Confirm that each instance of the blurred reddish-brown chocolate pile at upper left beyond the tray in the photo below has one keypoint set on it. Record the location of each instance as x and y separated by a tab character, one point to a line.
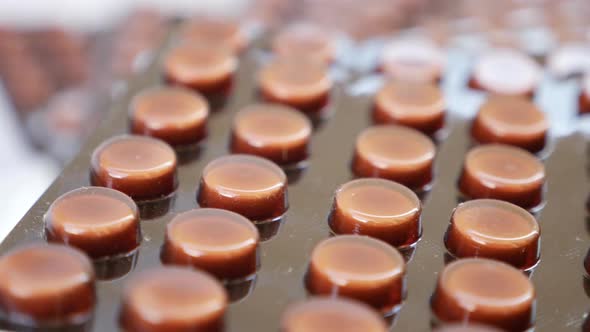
60	82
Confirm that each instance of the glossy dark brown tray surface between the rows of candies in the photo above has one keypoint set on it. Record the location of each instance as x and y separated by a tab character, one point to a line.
561	297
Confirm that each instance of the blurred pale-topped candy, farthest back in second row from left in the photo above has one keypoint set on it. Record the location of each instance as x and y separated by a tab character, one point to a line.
305	40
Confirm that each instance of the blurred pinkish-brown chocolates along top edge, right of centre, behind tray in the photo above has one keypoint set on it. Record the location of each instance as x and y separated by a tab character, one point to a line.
535	25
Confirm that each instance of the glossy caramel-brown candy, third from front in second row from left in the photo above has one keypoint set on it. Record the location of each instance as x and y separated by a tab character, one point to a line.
251	186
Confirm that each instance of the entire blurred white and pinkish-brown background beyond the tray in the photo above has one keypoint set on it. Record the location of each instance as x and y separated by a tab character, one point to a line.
62	62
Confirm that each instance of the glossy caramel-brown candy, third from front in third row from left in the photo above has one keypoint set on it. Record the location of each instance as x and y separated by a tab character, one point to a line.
379	208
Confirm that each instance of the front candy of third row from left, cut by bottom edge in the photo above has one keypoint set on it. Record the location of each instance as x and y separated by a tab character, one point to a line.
322	314
